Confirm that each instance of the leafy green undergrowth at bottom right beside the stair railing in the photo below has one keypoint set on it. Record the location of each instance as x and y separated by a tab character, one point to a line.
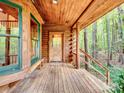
117	77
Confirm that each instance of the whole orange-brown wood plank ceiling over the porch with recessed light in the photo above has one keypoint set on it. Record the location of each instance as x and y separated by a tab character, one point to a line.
68	12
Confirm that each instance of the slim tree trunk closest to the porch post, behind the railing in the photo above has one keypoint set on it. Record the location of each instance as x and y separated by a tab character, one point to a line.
85	47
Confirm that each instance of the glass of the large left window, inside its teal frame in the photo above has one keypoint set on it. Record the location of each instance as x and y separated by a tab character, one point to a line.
8	27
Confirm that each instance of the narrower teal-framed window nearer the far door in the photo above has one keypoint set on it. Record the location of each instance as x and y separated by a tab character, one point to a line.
35	41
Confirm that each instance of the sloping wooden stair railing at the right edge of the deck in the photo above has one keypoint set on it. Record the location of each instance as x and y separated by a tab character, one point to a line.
106	75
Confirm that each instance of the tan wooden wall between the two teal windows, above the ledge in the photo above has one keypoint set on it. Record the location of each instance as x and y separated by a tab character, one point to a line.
27	9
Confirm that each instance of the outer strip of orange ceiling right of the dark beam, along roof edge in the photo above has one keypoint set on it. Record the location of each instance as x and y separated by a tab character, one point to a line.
103	9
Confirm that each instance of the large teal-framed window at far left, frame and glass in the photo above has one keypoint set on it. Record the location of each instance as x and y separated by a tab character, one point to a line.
10	43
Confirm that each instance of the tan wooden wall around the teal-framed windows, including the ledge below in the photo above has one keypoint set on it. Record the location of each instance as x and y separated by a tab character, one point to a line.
27	9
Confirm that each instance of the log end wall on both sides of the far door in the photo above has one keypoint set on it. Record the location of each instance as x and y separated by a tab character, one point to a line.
67	47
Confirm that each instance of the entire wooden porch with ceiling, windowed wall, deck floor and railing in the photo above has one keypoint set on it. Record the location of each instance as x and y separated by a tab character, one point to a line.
40	24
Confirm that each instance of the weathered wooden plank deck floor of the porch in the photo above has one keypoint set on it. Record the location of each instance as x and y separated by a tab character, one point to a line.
60	78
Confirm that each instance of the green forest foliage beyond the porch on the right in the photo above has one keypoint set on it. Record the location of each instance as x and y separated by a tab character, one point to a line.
115	25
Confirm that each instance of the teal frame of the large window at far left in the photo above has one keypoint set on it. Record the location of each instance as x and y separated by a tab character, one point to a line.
16	67
